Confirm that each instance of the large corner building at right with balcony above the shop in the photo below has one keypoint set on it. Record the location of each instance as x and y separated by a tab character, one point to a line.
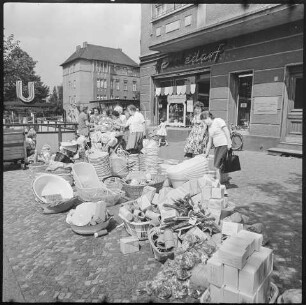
245	63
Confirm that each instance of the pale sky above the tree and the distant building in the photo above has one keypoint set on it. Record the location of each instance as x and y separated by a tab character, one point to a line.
50	32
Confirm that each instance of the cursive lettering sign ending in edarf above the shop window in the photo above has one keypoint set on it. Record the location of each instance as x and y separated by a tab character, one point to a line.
189	57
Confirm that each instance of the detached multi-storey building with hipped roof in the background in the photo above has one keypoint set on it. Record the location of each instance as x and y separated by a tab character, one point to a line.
94	74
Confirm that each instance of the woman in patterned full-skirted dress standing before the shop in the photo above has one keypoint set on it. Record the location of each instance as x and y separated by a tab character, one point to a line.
196	141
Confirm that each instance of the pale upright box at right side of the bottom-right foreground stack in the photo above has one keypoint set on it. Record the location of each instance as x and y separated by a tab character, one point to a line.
252	274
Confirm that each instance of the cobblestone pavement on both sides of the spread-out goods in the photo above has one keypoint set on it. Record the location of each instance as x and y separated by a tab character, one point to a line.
51	263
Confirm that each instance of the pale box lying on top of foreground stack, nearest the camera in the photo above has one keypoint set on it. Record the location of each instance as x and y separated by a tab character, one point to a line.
232	256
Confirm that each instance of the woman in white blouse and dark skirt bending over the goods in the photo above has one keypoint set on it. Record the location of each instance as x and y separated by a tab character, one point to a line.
219	136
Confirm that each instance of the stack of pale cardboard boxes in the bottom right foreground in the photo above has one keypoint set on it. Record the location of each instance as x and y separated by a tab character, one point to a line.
240	270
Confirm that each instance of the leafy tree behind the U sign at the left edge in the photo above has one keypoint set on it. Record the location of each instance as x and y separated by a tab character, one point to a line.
19	65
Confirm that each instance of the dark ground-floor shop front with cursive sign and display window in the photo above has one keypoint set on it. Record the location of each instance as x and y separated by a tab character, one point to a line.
251	81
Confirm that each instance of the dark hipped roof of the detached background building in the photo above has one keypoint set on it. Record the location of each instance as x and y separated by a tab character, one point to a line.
93	52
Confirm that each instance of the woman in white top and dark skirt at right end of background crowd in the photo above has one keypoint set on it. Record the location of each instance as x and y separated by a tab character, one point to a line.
136	124
